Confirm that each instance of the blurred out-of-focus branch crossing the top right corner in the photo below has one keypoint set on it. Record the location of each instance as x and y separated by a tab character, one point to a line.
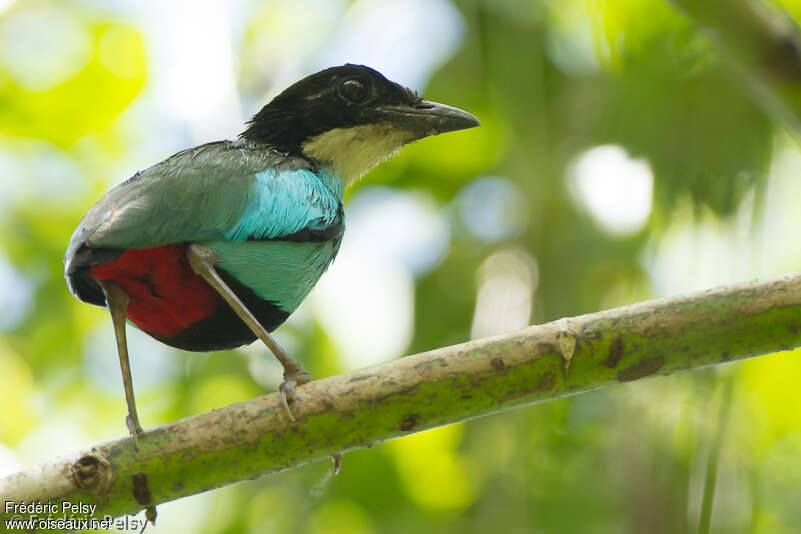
762	45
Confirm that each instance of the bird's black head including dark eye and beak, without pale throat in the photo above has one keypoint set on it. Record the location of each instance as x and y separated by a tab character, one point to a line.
343	98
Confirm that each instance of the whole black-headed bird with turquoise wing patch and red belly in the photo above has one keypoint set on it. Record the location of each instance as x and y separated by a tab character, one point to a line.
217	245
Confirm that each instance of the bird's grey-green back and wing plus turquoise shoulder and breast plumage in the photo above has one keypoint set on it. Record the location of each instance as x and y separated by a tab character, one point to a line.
251	204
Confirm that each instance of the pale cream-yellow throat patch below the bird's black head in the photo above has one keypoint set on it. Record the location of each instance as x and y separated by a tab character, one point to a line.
354	151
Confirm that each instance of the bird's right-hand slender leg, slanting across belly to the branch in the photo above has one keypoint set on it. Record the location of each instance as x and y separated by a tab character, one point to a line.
202	260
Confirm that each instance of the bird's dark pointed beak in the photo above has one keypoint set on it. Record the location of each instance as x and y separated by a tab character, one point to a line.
429	118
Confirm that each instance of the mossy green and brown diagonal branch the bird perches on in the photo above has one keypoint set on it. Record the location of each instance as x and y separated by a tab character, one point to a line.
446	385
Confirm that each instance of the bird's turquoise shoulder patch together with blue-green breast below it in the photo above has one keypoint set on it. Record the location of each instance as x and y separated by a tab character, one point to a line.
283	204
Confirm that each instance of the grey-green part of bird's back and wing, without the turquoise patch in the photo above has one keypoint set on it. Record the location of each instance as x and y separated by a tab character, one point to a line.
192	195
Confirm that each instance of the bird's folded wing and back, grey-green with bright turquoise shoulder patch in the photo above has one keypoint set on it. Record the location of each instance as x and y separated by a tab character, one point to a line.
220	192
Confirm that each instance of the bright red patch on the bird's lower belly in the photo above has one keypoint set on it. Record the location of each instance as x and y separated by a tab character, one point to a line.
166	294
